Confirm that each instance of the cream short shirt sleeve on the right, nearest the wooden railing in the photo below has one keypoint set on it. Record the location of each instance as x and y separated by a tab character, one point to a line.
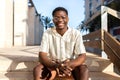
79	46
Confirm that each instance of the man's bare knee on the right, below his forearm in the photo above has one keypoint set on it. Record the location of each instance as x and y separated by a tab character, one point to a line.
80	73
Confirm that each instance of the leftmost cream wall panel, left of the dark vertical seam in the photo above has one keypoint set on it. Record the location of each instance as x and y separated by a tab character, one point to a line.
6	23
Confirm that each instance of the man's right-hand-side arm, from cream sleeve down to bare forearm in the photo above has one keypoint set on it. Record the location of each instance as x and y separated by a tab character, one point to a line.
79	49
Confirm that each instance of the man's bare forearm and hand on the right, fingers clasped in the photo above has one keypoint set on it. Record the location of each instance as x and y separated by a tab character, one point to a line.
68	65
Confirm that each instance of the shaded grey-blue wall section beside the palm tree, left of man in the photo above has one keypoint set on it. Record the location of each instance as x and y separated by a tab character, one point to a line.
35	28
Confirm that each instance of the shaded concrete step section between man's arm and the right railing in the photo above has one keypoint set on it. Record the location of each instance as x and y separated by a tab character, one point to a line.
96	63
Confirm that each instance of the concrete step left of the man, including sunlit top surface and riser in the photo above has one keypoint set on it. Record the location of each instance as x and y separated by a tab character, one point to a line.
18	58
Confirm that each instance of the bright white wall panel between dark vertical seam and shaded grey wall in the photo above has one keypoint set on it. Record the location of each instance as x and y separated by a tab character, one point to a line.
20	22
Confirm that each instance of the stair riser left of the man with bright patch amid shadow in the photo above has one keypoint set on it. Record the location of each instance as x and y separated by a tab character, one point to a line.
17	66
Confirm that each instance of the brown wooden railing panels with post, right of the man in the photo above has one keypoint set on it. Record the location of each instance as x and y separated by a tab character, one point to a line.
101	39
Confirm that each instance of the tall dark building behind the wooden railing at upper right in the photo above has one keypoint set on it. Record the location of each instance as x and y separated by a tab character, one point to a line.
93	16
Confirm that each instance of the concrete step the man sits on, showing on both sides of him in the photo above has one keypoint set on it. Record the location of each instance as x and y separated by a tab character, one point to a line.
26	60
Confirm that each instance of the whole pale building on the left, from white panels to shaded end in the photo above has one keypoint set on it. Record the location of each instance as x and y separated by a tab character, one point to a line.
20	23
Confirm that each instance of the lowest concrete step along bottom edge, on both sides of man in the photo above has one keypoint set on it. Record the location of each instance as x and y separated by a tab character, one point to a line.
29	76
